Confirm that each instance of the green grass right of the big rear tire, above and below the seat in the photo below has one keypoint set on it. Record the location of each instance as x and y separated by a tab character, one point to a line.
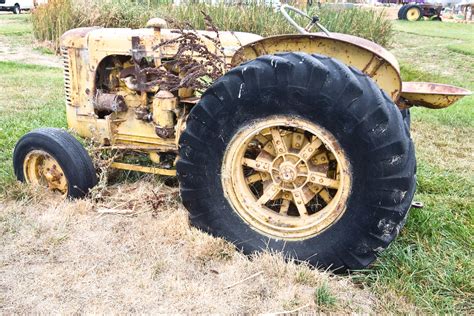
431	263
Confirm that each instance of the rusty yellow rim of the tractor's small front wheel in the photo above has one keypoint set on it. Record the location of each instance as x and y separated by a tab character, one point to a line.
41	168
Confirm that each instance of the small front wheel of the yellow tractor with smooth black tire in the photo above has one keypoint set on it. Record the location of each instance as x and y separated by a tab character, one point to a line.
61	148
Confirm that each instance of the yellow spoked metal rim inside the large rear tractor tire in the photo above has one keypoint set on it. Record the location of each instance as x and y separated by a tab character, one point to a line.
287	177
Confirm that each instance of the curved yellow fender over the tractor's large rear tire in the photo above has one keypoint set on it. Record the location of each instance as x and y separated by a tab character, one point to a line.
368	57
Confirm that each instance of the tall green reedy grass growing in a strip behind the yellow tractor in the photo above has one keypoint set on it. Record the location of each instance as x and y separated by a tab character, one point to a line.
56	17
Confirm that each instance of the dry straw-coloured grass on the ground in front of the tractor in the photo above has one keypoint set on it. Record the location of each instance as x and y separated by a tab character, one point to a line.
134	252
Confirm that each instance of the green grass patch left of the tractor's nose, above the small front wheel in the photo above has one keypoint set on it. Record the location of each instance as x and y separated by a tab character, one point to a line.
31	97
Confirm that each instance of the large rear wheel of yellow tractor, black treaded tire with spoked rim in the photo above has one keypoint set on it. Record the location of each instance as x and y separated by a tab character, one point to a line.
375	154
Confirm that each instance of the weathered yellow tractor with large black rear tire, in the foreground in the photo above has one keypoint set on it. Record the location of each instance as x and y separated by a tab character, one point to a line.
300	145
